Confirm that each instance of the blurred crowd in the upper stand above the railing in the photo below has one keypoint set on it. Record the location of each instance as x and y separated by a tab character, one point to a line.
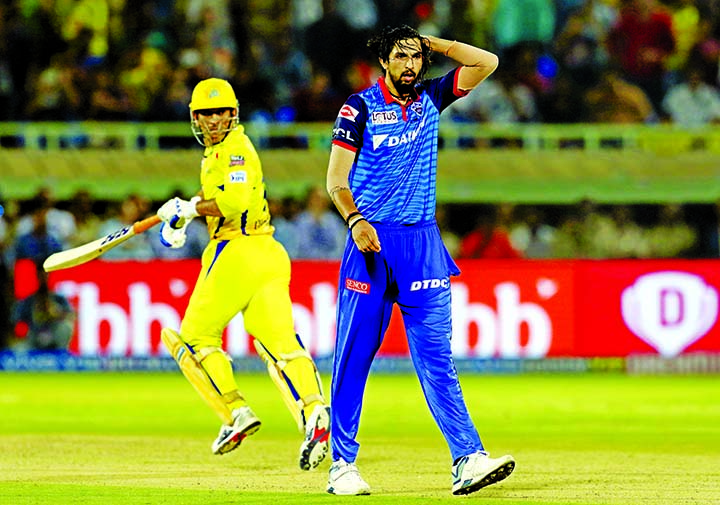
562	61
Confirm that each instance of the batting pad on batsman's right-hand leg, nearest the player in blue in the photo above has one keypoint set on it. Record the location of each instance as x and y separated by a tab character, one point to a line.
290	395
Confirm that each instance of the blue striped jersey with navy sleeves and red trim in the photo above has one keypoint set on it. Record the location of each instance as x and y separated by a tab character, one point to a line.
393	178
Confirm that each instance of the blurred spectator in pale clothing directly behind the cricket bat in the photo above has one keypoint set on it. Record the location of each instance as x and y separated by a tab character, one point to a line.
133	208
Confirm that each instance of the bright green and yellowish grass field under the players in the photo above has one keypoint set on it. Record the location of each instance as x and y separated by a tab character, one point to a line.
141	438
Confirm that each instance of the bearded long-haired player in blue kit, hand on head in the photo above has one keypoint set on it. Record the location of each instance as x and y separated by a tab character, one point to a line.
382	178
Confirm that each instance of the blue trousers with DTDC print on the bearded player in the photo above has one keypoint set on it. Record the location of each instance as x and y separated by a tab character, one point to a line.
413	269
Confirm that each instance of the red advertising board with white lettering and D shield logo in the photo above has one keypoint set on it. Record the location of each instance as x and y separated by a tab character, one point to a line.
504	311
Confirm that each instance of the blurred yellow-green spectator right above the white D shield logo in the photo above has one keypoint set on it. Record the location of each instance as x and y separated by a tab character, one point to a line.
672	236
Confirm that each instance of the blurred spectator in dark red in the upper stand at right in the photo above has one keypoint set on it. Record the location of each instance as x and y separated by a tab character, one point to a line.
641	42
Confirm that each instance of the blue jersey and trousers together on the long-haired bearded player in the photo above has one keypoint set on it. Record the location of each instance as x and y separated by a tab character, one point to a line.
393	179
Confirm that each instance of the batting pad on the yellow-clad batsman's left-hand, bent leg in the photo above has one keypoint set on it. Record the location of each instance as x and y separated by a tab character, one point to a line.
190	364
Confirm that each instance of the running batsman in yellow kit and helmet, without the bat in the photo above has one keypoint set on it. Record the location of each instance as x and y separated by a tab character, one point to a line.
244	270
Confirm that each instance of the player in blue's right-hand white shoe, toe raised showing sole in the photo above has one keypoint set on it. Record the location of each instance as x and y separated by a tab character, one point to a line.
477	470
